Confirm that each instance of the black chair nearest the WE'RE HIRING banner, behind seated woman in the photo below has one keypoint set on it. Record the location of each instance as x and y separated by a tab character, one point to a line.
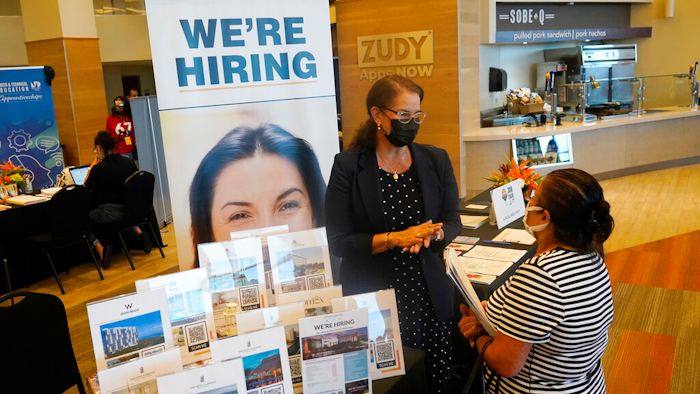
138	208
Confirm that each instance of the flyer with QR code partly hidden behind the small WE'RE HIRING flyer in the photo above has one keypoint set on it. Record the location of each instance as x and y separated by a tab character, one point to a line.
386	350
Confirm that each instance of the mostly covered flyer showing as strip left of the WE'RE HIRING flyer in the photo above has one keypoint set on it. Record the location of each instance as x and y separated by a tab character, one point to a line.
286	316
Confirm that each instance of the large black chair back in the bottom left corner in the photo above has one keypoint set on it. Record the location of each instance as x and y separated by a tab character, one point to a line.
38	352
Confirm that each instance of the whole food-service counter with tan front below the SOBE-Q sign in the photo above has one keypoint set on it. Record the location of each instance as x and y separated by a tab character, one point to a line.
607	149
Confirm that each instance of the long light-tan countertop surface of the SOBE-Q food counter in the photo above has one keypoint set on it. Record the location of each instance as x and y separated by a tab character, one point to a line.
522	131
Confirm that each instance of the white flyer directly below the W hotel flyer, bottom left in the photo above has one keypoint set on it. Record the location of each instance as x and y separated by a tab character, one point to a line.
139	376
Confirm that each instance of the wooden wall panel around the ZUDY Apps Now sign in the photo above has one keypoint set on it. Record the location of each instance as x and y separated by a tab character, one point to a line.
362	18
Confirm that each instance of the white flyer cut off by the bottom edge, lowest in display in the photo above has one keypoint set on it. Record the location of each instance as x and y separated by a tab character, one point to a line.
218	378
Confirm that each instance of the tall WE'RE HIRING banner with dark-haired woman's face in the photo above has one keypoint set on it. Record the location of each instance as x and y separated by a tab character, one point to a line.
247	106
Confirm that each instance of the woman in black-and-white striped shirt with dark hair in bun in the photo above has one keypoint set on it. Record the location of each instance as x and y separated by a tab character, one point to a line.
552	316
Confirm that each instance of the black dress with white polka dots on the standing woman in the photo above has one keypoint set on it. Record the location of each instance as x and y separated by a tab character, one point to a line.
403	205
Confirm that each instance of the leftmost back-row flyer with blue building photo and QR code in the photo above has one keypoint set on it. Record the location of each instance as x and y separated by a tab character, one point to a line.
236	280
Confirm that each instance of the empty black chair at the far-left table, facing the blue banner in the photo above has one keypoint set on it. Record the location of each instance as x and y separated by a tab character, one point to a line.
70	222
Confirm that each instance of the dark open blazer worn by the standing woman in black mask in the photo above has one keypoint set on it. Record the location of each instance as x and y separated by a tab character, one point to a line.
354	216
